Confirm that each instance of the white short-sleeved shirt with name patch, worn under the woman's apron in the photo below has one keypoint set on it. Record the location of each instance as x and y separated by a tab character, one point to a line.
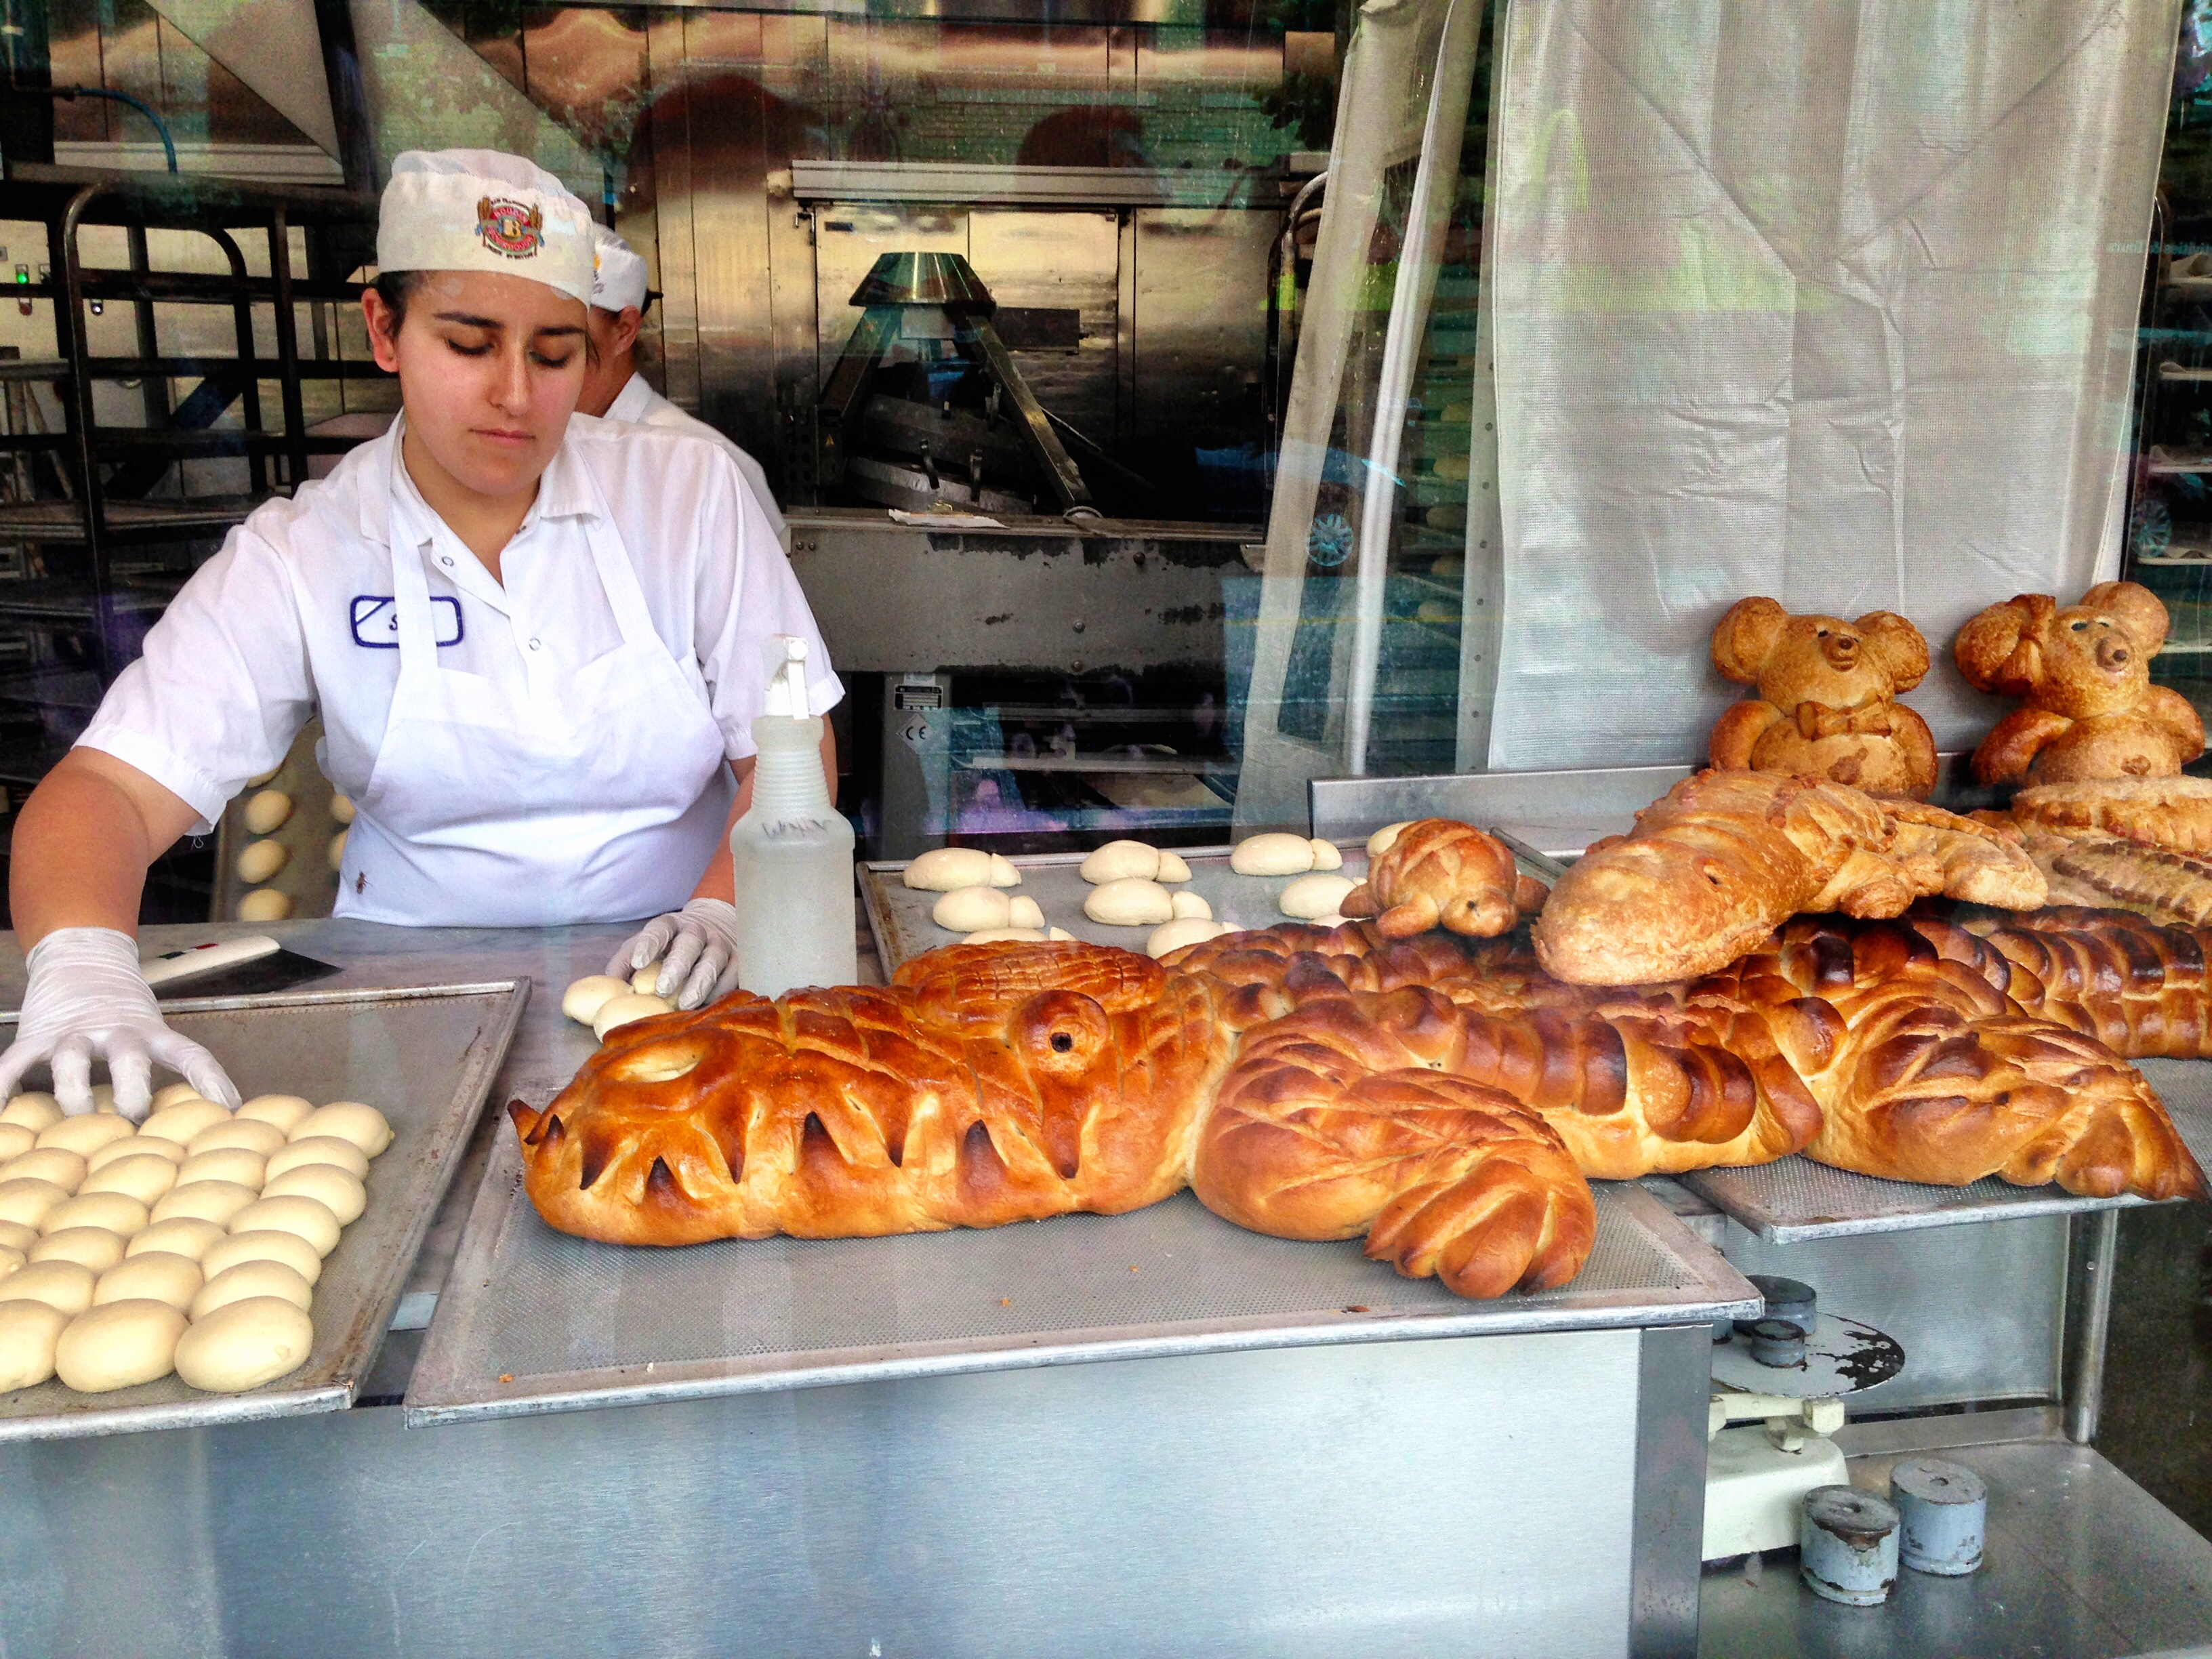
298	616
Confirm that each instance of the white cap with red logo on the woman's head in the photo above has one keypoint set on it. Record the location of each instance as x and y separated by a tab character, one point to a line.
486	211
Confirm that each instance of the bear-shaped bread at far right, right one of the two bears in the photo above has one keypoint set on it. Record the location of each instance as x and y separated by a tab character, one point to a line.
2085	671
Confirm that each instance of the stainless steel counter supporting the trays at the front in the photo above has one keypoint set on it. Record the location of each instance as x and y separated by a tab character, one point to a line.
1507	1494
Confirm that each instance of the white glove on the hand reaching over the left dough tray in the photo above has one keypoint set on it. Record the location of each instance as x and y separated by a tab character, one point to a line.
87	997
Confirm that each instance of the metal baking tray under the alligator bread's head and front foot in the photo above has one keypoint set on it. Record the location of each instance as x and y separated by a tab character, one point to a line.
539	1322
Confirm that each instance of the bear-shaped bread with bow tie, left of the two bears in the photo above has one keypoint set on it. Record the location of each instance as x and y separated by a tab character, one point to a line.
1828	698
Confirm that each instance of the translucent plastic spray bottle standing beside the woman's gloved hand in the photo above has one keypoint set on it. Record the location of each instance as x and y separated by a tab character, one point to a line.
793	848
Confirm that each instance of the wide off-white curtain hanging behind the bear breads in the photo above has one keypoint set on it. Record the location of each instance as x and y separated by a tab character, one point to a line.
1830	302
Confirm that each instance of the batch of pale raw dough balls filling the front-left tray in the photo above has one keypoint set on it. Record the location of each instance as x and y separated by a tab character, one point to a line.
189	1244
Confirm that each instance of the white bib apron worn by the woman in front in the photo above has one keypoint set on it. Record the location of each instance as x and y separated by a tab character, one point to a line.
596	800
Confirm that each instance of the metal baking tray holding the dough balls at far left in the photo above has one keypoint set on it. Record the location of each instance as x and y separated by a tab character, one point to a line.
426	1058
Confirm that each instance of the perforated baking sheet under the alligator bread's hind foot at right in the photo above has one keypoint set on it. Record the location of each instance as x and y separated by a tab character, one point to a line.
1795	1198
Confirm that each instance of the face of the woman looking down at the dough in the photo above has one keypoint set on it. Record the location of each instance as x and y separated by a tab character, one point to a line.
490	373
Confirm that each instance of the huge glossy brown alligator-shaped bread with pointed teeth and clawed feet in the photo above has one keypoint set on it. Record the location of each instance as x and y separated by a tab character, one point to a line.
1446	1098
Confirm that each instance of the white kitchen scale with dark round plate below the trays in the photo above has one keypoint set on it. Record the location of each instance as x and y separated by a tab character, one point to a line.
1780	1384
